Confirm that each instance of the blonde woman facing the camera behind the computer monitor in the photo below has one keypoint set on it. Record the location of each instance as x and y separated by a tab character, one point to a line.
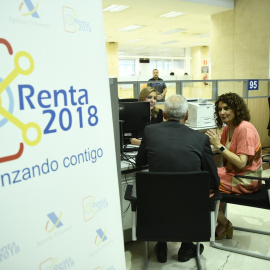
149	94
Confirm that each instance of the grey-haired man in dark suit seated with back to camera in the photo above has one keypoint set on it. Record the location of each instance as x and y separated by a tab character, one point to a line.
173	147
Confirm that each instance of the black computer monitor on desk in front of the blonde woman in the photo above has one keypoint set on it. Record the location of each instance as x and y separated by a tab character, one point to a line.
134	116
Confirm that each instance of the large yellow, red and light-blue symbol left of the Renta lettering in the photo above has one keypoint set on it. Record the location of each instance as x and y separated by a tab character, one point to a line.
8	113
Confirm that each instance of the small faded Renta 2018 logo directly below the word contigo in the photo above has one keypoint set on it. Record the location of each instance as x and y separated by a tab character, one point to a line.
91	207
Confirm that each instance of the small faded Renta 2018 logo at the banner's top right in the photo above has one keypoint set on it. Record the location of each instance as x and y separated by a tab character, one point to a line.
72	22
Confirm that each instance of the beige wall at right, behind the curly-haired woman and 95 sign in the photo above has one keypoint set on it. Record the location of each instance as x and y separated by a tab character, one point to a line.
240	50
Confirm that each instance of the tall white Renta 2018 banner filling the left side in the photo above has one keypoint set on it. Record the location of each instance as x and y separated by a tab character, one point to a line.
59	195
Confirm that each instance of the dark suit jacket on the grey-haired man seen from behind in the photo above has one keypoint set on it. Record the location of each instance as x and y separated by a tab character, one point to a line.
173	147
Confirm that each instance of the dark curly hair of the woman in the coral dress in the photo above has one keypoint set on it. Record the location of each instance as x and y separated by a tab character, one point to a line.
237	104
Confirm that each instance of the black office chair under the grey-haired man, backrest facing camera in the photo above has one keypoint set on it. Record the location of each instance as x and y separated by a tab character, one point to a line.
173	207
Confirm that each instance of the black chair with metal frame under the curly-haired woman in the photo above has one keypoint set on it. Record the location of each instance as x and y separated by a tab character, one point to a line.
259	199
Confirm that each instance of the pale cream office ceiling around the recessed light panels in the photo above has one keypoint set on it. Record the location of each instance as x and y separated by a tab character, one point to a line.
196	21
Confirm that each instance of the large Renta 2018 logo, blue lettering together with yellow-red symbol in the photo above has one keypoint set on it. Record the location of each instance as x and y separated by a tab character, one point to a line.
31	131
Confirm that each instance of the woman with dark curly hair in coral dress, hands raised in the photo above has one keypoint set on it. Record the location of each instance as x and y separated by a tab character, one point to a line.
240	147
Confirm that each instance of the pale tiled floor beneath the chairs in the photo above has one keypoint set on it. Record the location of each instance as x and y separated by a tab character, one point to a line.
212	258
